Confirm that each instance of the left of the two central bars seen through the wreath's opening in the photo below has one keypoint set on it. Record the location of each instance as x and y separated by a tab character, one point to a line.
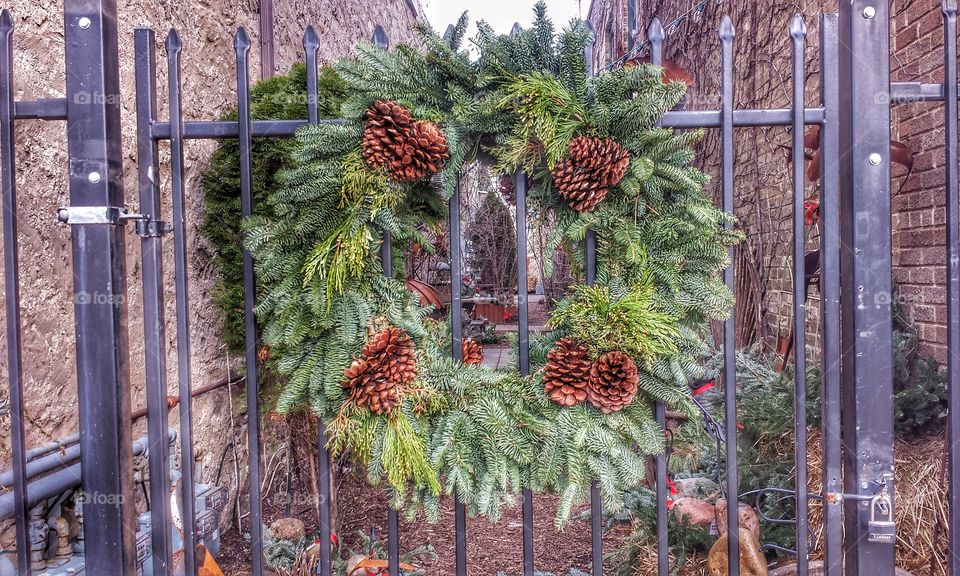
456	332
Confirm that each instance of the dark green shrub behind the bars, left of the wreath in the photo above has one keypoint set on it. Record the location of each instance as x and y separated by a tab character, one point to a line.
278	98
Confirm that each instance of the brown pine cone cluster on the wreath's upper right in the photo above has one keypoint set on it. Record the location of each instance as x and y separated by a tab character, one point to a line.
592	166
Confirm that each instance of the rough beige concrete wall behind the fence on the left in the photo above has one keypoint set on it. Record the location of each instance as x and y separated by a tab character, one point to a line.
206	28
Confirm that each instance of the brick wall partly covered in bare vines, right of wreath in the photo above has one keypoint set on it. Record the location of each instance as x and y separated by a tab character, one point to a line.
762	76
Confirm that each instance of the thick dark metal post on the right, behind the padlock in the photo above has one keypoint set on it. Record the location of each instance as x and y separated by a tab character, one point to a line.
866	261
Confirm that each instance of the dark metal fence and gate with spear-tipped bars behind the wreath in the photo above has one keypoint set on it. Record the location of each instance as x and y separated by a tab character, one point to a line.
856	268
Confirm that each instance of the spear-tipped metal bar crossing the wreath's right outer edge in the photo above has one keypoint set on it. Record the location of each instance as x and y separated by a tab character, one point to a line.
727	35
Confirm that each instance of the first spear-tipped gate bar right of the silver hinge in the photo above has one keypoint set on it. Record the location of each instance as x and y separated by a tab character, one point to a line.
184	369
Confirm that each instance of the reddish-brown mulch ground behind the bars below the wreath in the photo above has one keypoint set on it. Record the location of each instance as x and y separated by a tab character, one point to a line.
491	548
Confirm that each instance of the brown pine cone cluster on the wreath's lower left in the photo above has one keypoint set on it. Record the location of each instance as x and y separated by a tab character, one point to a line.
387	362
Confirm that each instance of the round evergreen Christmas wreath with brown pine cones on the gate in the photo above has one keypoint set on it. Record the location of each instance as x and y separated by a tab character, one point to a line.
360	351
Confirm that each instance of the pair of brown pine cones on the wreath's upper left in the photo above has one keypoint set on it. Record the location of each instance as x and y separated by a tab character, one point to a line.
409	150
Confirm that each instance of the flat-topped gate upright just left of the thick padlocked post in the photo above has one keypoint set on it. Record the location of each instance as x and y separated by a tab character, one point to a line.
830	295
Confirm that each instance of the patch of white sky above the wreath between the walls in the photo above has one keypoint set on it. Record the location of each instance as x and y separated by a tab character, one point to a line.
501	14
